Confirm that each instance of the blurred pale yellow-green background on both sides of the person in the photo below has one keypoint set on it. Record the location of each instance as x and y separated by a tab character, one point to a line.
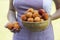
5	34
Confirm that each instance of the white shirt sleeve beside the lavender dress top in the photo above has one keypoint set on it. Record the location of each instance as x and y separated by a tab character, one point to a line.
47	6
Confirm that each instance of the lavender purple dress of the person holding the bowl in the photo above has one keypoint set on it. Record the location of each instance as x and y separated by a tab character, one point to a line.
21	6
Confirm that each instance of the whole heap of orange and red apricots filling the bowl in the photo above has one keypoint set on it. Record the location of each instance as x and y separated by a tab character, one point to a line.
32	15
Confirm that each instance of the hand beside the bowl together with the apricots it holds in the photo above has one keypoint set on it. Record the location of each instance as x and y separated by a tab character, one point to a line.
13	27
